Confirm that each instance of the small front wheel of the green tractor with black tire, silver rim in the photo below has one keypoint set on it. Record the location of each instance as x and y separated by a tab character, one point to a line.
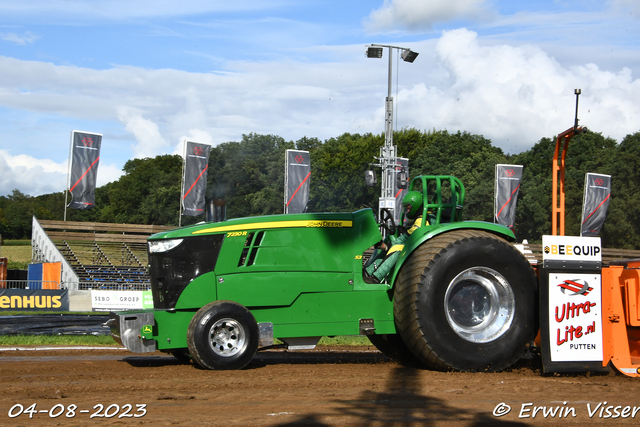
223	335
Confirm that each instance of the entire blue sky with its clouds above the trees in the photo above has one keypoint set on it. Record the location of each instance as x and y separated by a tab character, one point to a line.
148	74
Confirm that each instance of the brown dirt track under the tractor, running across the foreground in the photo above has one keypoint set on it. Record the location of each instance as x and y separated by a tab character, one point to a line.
329	386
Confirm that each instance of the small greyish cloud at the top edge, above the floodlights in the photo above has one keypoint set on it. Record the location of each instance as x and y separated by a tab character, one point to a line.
422	15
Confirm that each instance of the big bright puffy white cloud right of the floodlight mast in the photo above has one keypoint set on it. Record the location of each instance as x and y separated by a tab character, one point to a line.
517	95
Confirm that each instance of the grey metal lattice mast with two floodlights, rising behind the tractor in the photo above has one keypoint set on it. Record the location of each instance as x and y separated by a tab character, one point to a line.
388	158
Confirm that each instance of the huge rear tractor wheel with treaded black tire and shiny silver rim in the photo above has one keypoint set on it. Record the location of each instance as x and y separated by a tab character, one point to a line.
466	300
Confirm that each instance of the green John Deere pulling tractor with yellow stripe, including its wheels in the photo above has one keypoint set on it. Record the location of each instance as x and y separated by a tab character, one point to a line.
459	297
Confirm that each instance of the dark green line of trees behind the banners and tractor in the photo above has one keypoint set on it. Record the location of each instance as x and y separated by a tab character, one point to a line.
249	176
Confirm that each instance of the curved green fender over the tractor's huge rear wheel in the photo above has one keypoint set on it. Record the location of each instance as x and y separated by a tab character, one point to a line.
422	234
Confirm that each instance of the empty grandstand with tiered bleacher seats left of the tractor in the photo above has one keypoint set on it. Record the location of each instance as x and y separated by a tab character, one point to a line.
103	256
